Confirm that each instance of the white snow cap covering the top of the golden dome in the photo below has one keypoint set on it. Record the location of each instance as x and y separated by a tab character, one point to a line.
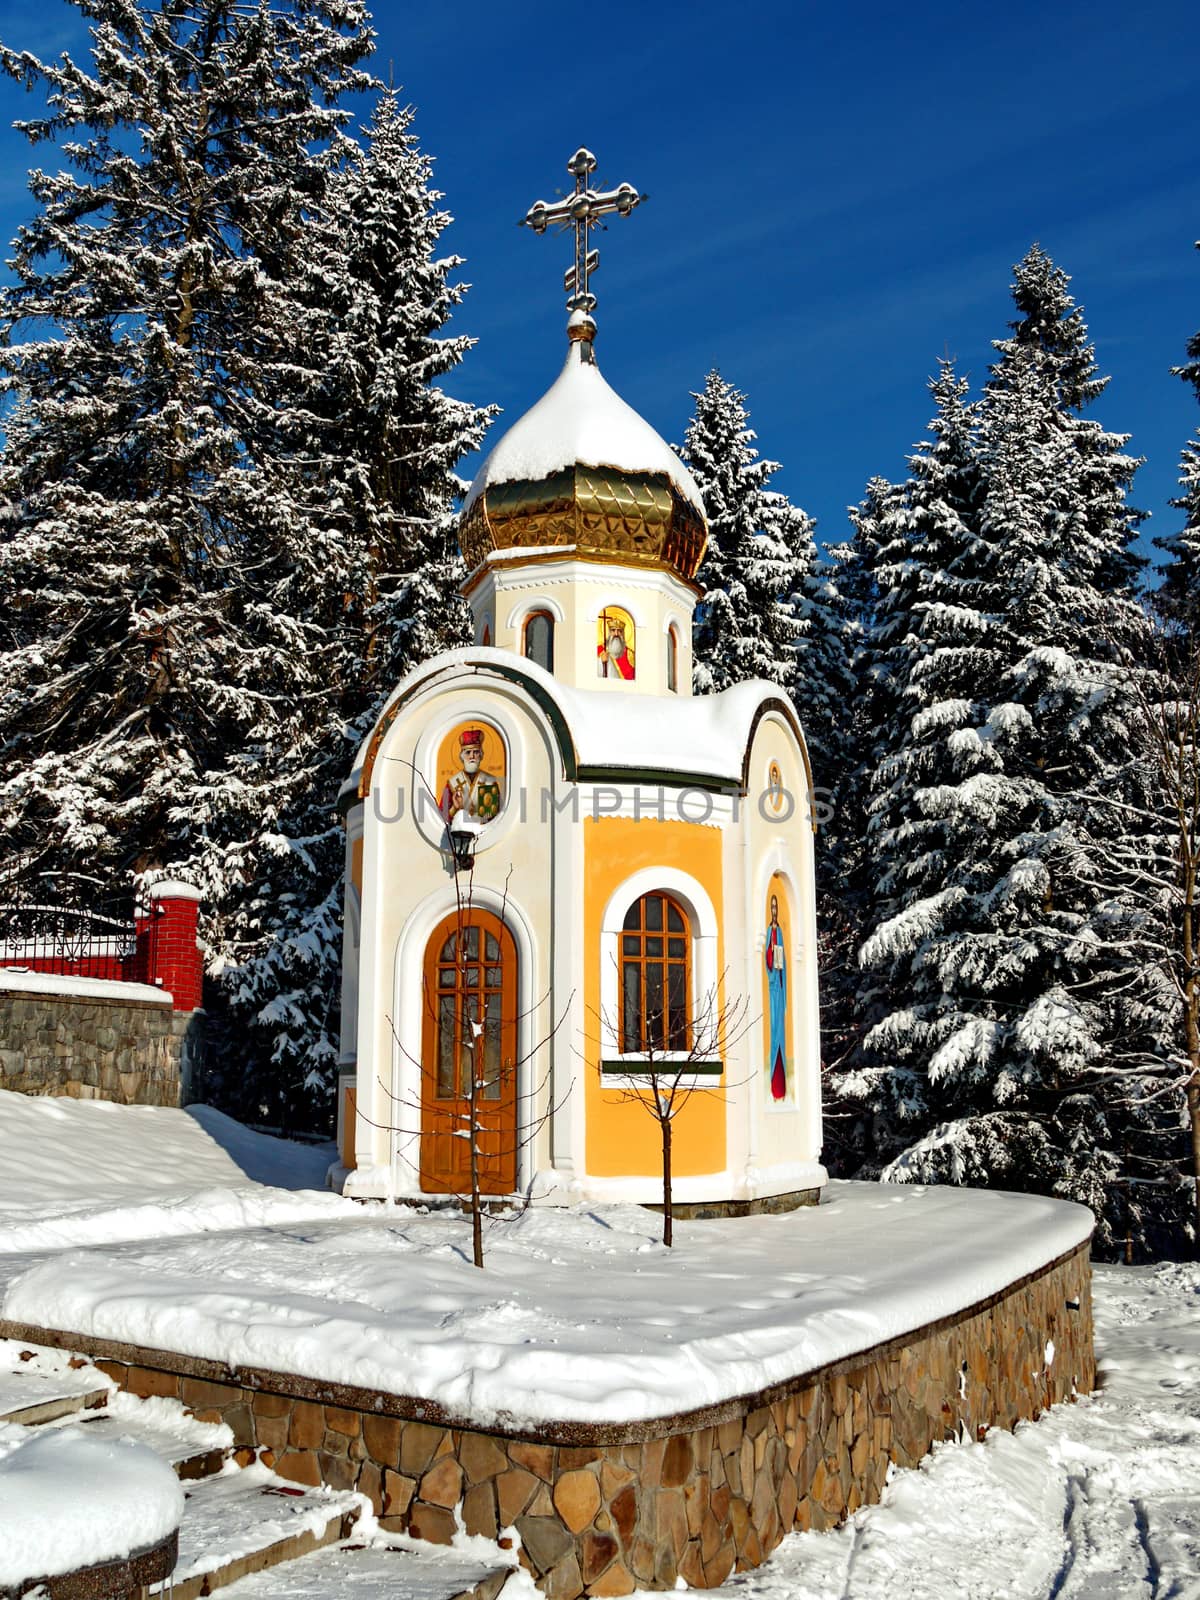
582	420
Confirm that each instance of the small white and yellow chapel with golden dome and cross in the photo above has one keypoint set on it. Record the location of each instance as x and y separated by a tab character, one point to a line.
569	879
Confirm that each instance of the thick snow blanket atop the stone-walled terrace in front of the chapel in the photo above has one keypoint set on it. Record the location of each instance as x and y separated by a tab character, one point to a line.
582	1314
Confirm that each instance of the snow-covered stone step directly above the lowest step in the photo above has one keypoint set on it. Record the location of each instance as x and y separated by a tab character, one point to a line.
246	1521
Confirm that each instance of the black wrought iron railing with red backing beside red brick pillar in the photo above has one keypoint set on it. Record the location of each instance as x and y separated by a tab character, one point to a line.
76	926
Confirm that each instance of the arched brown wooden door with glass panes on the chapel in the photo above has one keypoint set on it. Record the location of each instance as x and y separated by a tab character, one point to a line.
470	1017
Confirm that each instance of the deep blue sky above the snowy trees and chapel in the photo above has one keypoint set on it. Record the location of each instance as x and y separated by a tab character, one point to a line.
838	198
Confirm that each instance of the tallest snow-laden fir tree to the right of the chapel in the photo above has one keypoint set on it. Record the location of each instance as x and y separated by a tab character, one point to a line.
1012	1026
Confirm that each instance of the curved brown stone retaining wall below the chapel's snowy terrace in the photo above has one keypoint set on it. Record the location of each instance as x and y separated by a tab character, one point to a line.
607	1508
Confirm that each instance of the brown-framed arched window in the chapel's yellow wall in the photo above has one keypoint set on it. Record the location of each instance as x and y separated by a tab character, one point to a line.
655	977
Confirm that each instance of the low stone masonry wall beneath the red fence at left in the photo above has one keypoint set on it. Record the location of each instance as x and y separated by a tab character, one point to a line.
130	1052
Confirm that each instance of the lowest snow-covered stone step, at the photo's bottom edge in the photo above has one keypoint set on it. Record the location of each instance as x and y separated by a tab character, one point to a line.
433	1574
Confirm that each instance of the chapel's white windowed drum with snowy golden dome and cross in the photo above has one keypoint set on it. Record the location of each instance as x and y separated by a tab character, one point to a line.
583	530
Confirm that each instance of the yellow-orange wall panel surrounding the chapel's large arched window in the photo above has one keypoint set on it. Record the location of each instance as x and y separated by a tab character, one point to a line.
623	1140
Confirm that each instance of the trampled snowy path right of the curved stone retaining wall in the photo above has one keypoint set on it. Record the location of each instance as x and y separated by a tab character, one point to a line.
1097	1502
